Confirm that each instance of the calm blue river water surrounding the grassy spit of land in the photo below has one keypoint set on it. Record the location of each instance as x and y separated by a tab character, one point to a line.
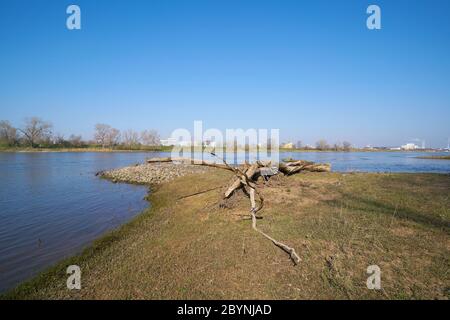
52	205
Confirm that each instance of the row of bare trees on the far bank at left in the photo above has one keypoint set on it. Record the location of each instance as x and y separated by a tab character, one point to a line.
37	133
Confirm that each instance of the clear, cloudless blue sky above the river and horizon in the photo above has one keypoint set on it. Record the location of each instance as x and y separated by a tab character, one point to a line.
311	69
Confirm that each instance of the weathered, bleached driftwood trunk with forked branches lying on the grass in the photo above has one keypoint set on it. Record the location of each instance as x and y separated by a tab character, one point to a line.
246	177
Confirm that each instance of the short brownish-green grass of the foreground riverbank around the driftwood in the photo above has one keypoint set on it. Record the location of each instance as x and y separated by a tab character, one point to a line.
339	224
